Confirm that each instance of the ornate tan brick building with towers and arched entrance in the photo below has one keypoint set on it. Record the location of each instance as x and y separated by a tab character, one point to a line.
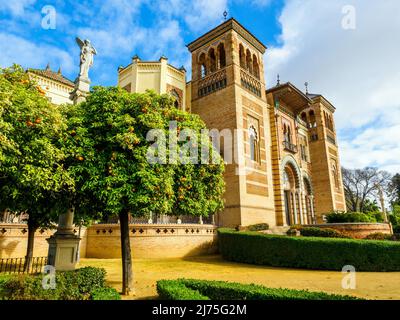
288	151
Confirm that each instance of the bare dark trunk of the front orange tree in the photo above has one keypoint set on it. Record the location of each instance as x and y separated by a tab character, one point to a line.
126	254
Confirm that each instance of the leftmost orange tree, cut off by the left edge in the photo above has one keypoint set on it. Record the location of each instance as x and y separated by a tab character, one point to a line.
32	177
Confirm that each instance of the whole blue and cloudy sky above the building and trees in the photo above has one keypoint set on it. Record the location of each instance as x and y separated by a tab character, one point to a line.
347	50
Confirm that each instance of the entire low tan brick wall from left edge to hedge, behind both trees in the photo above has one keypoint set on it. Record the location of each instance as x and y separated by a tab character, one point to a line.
103	241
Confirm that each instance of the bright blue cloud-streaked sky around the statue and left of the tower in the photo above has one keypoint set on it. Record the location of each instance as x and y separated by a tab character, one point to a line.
100	21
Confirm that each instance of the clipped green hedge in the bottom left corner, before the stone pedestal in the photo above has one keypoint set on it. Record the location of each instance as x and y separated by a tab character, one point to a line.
81	284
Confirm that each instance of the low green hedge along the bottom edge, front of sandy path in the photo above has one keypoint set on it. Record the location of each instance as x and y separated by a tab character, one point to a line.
183	289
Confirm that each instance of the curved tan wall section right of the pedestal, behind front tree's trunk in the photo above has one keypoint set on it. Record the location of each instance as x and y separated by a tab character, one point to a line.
152	240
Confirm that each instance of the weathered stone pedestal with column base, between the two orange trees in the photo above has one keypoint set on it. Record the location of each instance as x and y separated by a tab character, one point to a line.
64	244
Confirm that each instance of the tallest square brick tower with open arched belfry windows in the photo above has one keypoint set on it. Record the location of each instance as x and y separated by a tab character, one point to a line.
228	92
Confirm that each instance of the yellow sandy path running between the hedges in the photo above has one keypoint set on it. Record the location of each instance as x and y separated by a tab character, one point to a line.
370	285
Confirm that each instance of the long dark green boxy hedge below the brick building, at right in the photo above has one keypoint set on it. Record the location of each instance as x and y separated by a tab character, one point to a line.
308	252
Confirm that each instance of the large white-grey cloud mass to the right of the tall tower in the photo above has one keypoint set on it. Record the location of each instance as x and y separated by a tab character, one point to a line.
355	69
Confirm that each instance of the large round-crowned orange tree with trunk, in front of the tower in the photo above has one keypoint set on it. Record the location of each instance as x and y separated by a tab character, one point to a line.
106	139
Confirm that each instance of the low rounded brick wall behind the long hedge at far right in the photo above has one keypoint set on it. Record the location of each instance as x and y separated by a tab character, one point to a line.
358	230
